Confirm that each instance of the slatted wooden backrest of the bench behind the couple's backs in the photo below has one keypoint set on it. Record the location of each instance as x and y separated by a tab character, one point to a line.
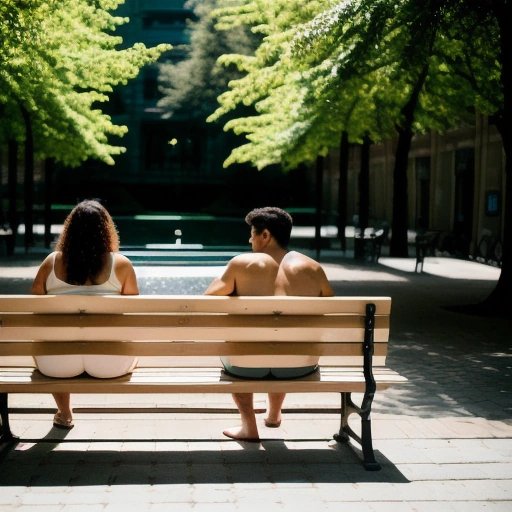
192	326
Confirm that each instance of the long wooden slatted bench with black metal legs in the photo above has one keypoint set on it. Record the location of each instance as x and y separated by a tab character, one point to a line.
179	339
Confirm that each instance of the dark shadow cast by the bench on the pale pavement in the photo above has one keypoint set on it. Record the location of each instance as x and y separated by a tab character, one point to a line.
271	462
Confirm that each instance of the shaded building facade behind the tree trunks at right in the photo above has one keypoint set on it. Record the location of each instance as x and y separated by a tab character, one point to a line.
456	184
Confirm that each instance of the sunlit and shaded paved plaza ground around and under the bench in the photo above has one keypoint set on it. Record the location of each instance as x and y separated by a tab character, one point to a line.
444	439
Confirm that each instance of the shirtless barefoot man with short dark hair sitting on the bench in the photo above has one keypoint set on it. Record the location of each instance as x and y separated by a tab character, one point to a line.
269	270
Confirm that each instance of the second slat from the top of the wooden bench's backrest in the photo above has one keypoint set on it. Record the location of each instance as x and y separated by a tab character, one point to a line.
200	327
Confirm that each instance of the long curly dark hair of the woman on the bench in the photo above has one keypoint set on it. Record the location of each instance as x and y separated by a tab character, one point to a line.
89	234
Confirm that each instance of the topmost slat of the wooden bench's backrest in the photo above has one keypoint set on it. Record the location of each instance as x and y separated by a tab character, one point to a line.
191	303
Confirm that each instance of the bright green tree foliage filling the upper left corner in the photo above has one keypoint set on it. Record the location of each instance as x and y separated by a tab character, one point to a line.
58	60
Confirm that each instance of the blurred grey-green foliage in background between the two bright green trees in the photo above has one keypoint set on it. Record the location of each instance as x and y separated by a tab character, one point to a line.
191	85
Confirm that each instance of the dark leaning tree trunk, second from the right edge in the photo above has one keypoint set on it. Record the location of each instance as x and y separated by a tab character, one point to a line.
398	246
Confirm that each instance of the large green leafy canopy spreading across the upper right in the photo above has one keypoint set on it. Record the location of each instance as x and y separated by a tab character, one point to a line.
333	66
